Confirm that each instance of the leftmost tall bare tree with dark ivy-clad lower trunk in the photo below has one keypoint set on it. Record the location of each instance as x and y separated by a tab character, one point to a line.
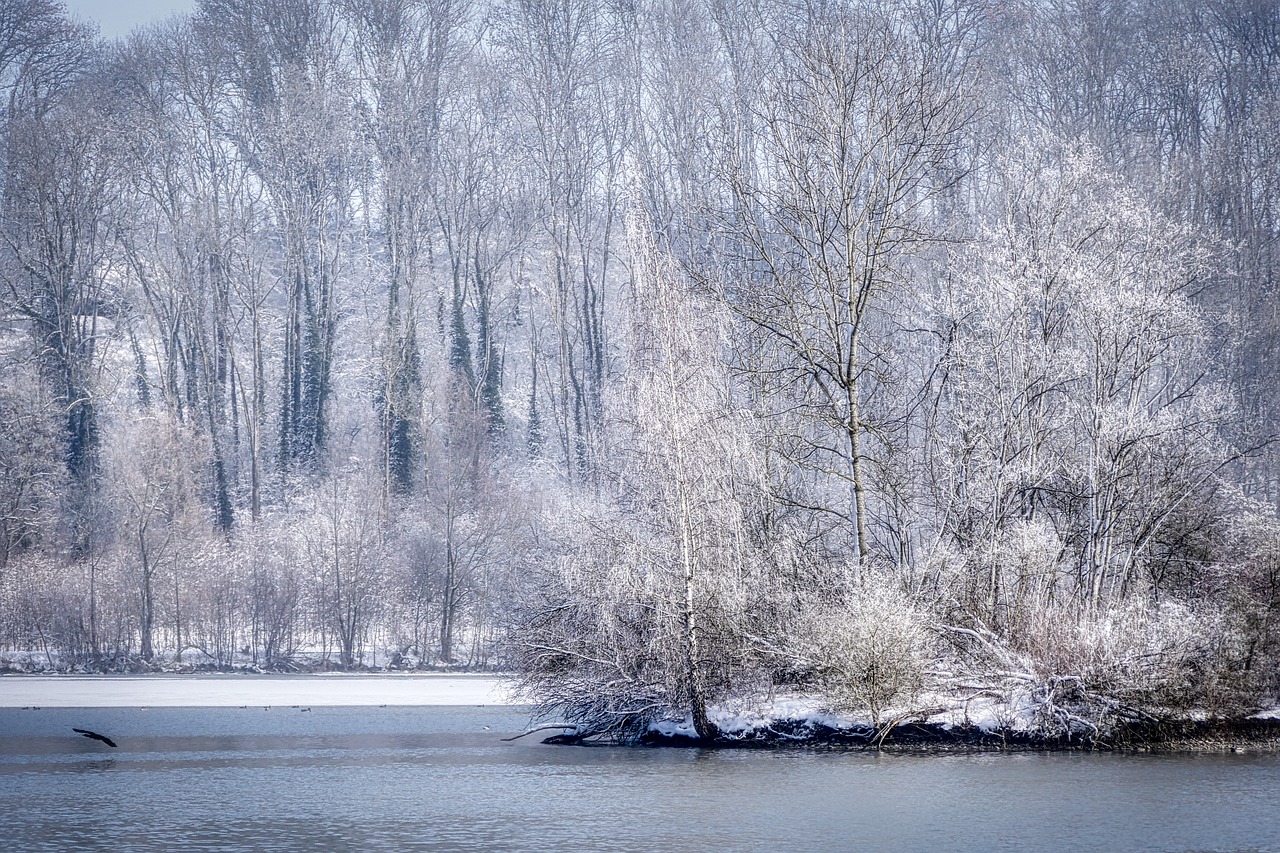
58	234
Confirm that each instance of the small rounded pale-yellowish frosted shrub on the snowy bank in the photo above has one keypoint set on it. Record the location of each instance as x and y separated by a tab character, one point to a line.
870	654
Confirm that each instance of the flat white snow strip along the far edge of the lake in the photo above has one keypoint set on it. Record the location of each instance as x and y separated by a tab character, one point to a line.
236	691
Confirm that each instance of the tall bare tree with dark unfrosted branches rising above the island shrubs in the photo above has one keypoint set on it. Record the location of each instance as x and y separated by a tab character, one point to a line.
830	193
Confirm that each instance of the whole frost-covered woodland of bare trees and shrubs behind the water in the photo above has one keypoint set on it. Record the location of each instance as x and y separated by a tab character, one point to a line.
669	354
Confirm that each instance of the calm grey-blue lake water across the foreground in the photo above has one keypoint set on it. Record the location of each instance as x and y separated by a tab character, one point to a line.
440	778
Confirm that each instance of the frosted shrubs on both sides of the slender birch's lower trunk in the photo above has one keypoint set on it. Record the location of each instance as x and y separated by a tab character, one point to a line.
602	638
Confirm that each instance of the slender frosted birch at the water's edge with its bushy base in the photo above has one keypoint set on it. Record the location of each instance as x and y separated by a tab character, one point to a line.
648	612
